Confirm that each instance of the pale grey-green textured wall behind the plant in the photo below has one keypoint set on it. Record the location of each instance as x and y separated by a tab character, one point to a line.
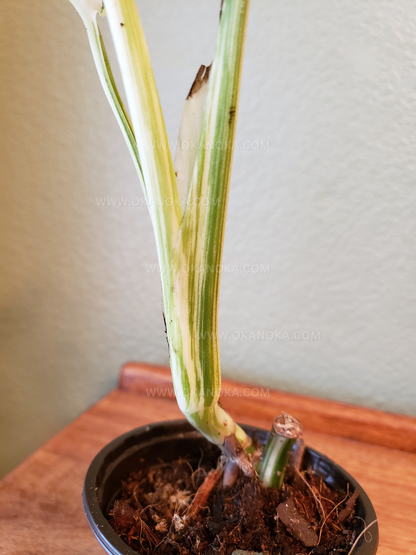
323	197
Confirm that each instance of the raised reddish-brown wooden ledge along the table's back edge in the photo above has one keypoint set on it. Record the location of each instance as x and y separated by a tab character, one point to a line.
257	403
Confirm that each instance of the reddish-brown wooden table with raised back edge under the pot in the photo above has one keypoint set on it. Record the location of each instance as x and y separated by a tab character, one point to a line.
40	501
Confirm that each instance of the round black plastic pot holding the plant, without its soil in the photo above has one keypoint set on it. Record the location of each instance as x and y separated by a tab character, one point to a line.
166	441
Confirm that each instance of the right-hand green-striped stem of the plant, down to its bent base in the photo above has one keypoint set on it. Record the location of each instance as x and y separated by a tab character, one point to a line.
200	246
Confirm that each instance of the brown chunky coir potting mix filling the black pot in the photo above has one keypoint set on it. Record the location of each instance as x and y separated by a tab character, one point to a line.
156	514
